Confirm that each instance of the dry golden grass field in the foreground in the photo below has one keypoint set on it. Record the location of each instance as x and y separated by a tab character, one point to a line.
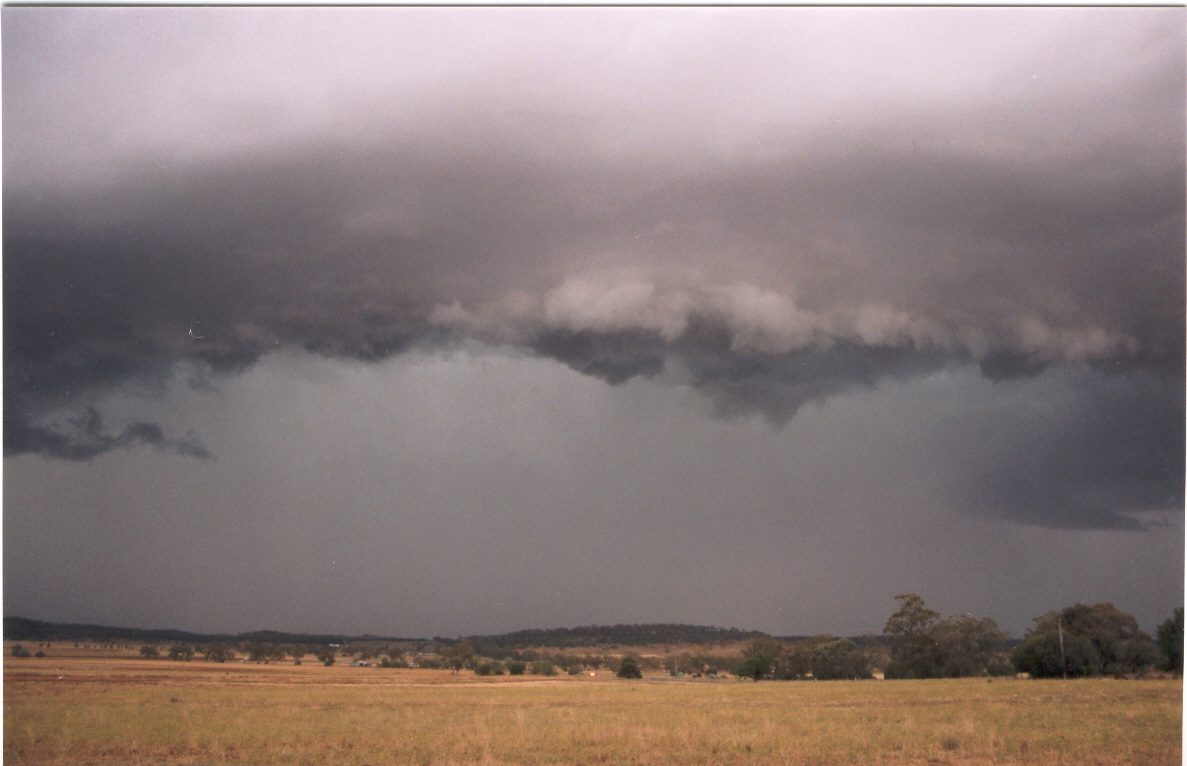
79	711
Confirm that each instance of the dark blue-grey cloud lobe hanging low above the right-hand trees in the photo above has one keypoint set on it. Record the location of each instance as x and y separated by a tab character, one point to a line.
1103	451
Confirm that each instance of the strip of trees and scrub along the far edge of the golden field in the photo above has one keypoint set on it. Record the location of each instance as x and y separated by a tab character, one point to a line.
1081	641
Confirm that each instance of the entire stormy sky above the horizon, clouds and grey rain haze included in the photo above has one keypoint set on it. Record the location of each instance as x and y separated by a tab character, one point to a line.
458	321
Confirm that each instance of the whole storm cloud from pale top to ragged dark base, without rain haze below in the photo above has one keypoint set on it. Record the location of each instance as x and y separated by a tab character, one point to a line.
624	208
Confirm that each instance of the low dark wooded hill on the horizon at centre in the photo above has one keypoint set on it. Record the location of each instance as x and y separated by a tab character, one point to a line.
613	635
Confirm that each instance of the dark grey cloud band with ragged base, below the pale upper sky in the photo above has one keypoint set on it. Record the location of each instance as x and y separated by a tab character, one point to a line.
207	273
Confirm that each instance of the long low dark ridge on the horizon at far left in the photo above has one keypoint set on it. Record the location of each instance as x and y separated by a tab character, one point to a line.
26	630
